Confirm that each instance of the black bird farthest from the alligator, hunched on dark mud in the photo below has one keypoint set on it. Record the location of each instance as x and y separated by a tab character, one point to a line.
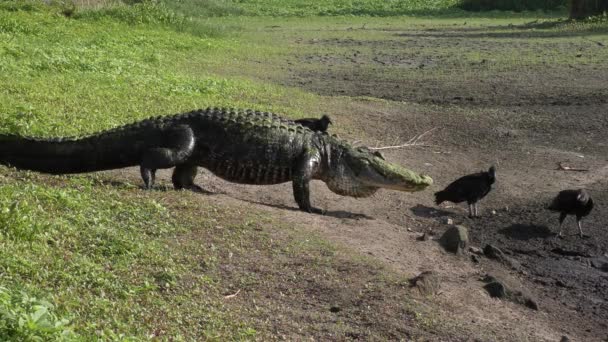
572	202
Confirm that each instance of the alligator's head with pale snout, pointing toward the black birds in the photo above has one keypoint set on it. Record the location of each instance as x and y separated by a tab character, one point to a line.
360	172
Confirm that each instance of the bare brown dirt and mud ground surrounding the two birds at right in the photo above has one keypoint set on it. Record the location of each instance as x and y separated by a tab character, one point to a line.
524	122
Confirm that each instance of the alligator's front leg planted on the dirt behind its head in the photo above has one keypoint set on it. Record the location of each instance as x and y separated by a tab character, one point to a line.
301	176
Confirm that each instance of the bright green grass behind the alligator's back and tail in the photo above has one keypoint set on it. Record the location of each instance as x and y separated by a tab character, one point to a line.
56	70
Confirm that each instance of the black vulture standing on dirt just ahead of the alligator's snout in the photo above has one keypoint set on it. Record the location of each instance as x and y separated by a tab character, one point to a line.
470	188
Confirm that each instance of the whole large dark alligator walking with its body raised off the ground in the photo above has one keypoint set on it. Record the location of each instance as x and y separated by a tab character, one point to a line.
241	146
